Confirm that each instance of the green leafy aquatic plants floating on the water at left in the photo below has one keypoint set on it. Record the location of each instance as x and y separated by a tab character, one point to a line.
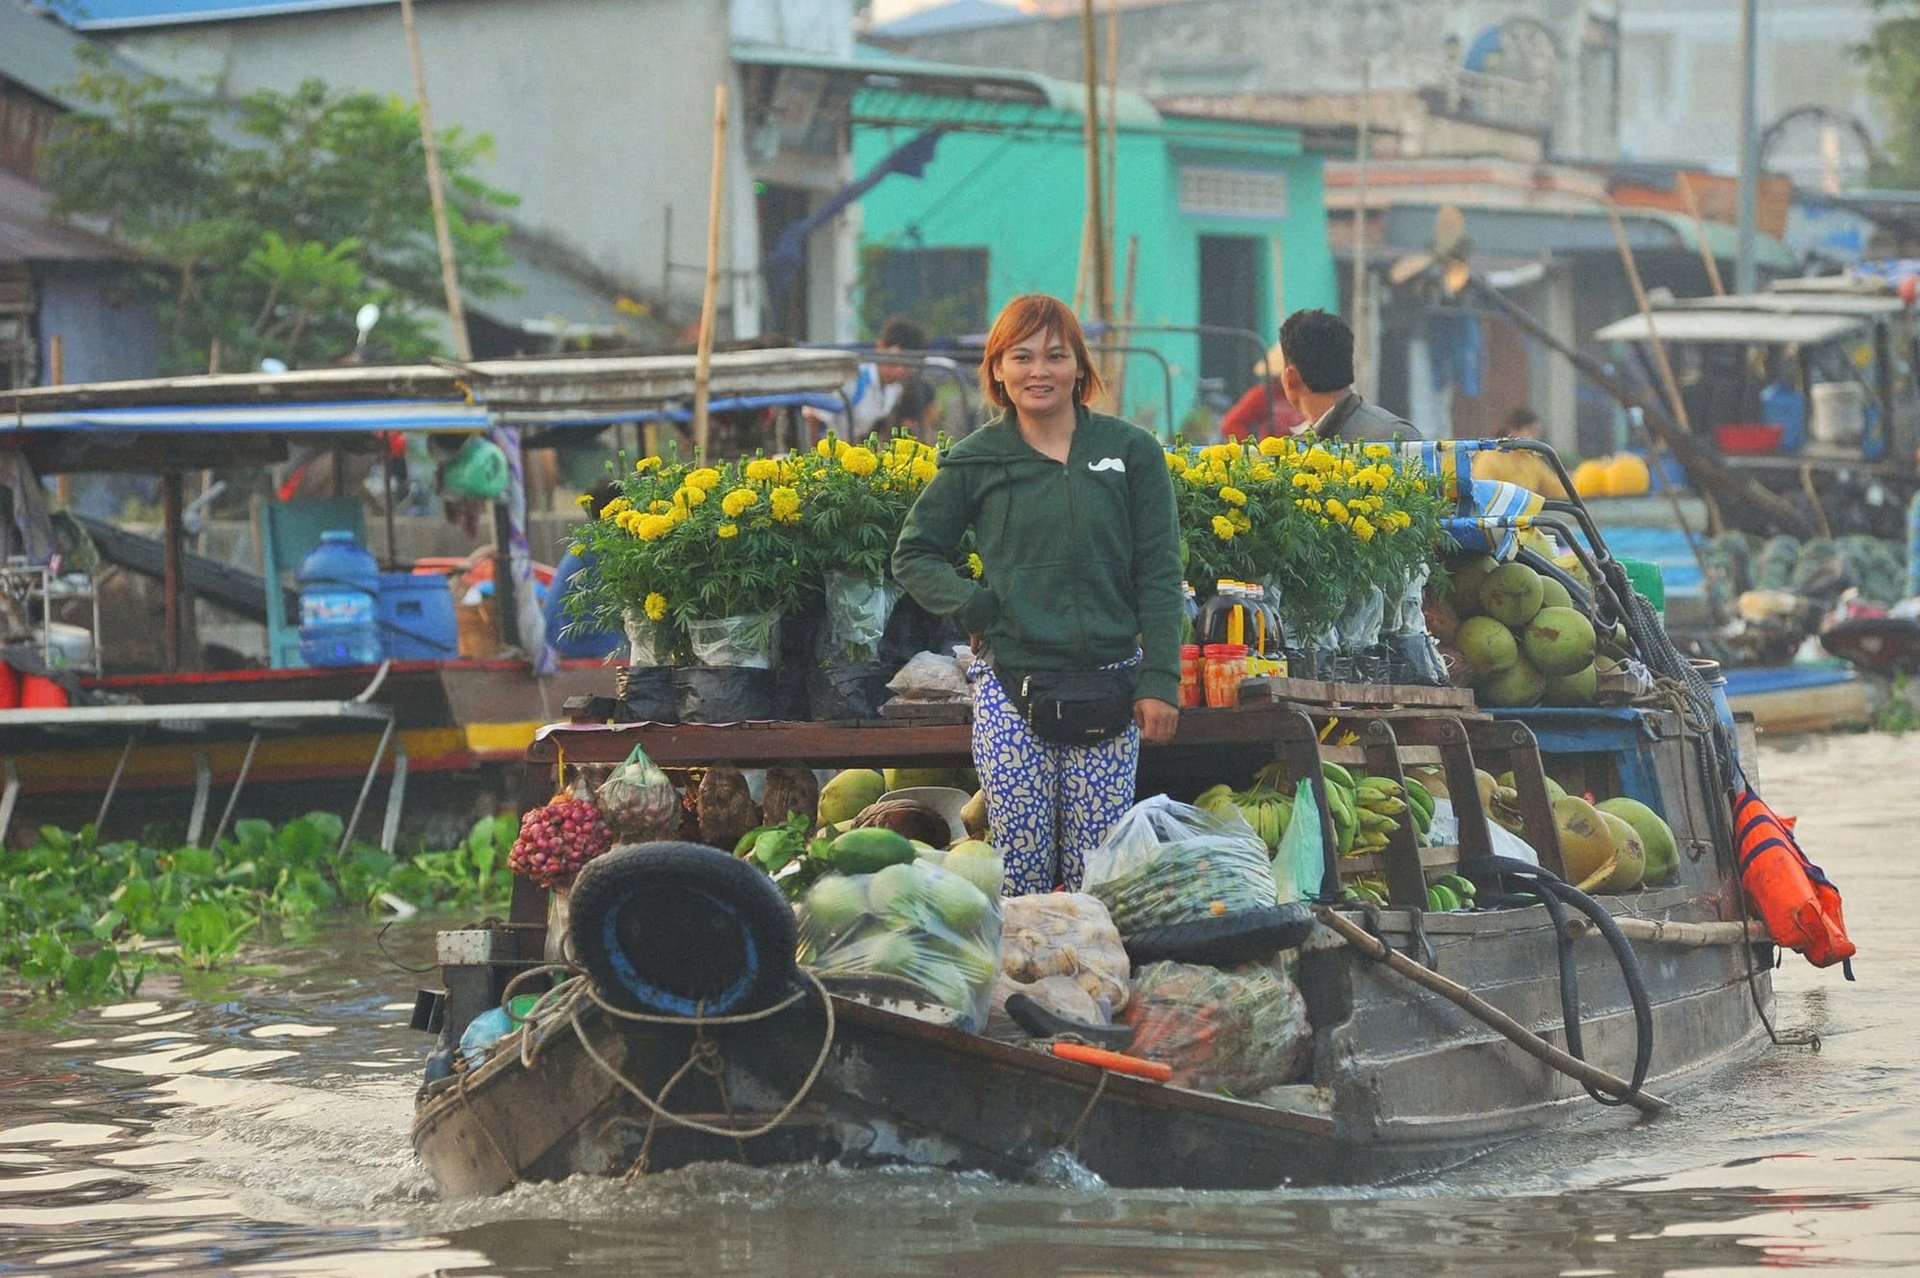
87	920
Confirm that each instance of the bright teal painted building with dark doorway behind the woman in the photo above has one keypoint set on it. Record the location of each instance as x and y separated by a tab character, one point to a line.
1230	220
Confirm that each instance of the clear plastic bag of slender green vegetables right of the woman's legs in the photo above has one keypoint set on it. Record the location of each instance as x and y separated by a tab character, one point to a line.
1170	863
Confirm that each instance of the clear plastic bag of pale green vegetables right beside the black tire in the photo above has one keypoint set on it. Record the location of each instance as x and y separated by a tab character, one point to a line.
917	922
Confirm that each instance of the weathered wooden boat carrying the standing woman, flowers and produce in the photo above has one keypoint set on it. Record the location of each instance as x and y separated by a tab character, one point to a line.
1401	1079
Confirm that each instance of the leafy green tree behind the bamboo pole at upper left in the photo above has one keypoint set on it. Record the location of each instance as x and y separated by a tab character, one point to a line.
272	220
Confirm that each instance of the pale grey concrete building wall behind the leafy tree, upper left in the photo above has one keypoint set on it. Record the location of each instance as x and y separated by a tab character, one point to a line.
600	110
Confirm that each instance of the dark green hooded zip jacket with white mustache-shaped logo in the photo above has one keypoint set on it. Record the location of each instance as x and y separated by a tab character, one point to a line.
1082	559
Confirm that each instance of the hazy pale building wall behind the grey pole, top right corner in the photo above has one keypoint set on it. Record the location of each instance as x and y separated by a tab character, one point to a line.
1681	80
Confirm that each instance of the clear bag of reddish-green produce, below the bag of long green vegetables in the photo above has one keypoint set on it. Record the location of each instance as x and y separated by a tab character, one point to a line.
1237	1031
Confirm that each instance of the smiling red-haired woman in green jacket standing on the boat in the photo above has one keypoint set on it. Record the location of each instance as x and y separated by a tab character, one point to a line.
1076	615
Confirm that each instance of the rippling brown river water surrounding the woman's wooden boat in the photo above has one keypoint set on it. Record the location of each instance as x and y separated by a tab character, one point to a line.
258	1125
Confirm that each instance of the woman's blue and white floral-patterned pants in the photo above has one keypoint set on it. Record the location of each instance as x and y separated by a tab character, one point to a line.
1049	803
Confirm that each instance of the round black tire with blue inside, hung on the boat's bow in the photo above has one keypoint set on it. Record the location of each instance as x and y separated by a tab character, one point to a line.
683	930
